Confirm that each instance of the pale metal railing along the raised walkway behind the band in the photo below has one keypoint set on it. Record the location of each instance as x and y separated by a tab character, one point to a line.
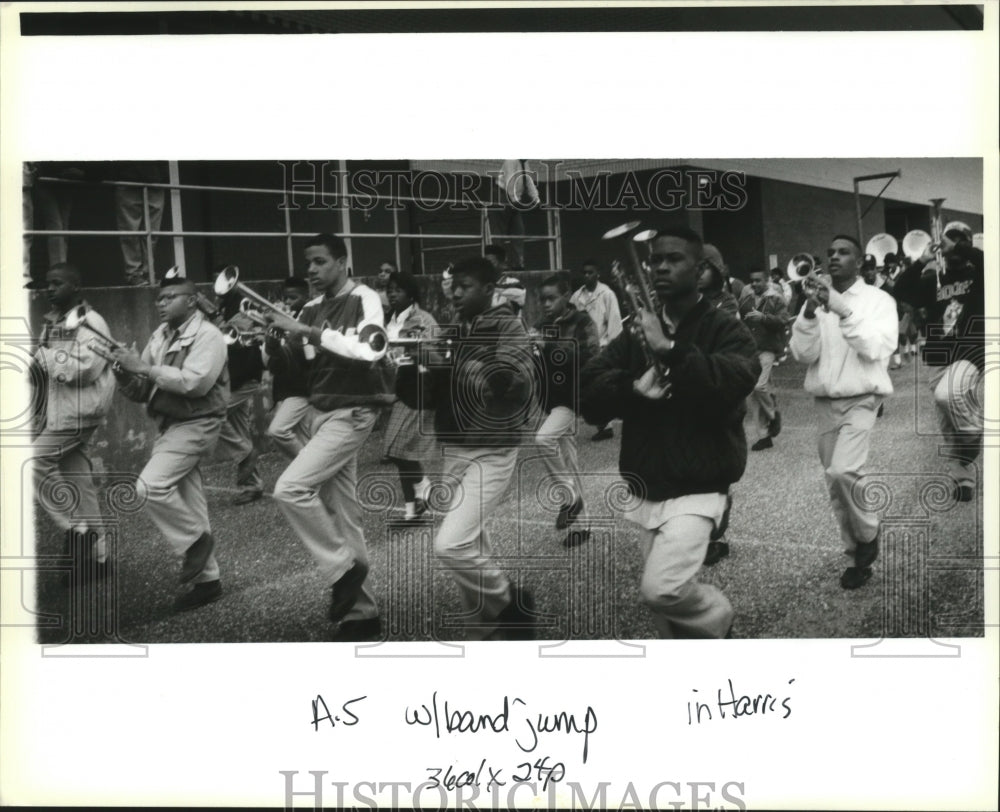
148	234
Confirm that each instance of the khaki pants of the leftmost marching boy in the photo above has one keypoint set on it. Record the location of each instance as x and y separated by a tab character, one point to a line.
64	482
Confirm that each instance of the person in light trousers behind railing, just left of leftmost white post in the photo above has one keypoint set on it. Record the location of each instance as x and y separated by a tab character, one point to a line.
130	214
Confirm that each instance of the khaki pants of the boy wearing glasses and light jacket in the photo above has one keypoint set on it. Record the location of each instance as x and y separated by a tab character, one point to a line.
172	486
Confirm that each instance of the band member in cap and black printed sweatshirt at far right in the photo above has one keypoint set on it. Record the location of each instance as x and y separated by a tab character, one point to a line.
955	303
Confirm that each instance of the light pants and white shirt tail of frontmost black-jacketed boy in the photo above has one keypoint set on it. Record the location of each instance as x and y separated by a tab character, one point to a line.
675	536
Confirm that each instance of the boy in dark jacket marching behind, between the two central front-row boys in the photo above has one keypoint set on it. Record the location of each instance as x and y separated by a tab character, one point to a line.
577	342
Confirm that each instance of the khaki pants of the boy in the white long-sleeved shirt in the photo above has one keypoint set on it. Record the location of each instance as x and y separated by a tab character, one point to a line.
845	426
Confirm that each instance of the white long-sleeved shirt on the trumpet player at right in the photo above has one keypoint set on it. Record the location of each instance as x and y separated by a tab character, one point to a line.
849	357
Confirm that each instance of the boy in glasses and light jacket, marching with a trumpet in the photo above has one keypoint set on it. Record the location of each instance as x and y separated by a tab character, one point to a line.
182	378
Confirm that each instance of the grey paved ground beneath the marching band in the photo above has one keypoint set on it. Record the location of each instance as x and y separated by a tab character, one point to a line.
782	575
